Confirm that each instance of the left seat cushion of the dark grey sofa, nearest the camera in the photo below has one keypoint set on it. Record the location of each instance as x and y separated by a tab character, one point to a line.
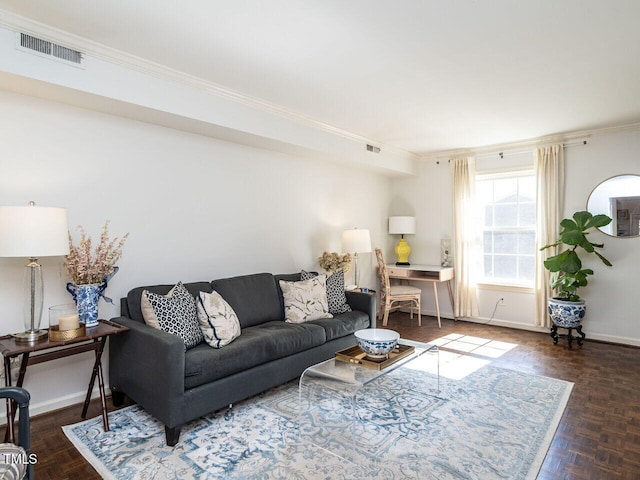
257	345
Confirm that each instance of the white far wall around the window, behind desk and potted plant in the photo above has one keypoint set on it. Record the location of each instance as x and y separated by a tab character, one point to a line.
611	293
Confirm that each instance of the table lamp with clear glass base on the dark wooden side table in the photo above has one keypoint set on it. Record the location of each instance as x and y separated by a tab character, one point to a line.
33	232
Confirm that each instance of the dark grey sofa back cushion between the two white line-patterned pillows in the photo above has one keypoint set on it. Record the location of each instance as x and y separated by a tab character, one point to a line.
254	298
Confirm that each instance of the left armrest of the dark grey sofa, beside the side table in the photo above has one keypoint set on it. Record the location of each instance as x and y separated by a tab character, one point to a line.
148	365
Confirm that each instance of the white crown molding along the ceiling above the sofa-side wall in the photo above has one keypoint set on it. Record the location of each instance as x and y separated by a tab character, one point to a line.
94	49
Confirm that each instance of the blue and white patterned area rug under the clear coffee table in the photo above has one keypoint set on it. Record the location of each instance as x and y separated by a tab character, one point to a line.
492	424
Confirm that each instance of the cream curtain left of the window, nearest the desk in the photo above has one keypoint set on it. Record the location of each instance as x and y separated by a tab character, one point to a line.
464	232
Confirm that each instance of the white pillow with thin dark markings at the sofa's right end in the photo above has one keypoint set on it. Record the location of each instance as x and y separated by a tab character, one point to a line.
305	300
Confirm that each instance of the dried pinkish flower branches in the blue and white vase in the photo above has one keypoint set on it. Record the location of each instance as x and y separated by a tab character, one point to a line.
85	266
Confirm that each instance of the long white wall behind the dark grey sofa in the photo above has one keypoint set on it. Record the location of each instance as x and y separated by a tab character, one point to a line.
196	209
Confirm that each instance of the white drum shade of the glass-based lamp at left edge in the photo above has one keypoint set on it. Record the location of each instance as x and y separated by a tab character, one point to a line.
33	232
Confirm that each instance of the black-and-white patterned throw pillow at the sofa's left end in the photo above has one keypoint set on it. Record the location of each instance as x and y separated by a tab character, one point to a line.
177	314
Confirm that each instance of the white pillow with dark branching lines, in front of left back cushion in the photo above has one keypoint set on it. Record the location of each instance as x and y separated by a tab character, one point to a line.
218	322
